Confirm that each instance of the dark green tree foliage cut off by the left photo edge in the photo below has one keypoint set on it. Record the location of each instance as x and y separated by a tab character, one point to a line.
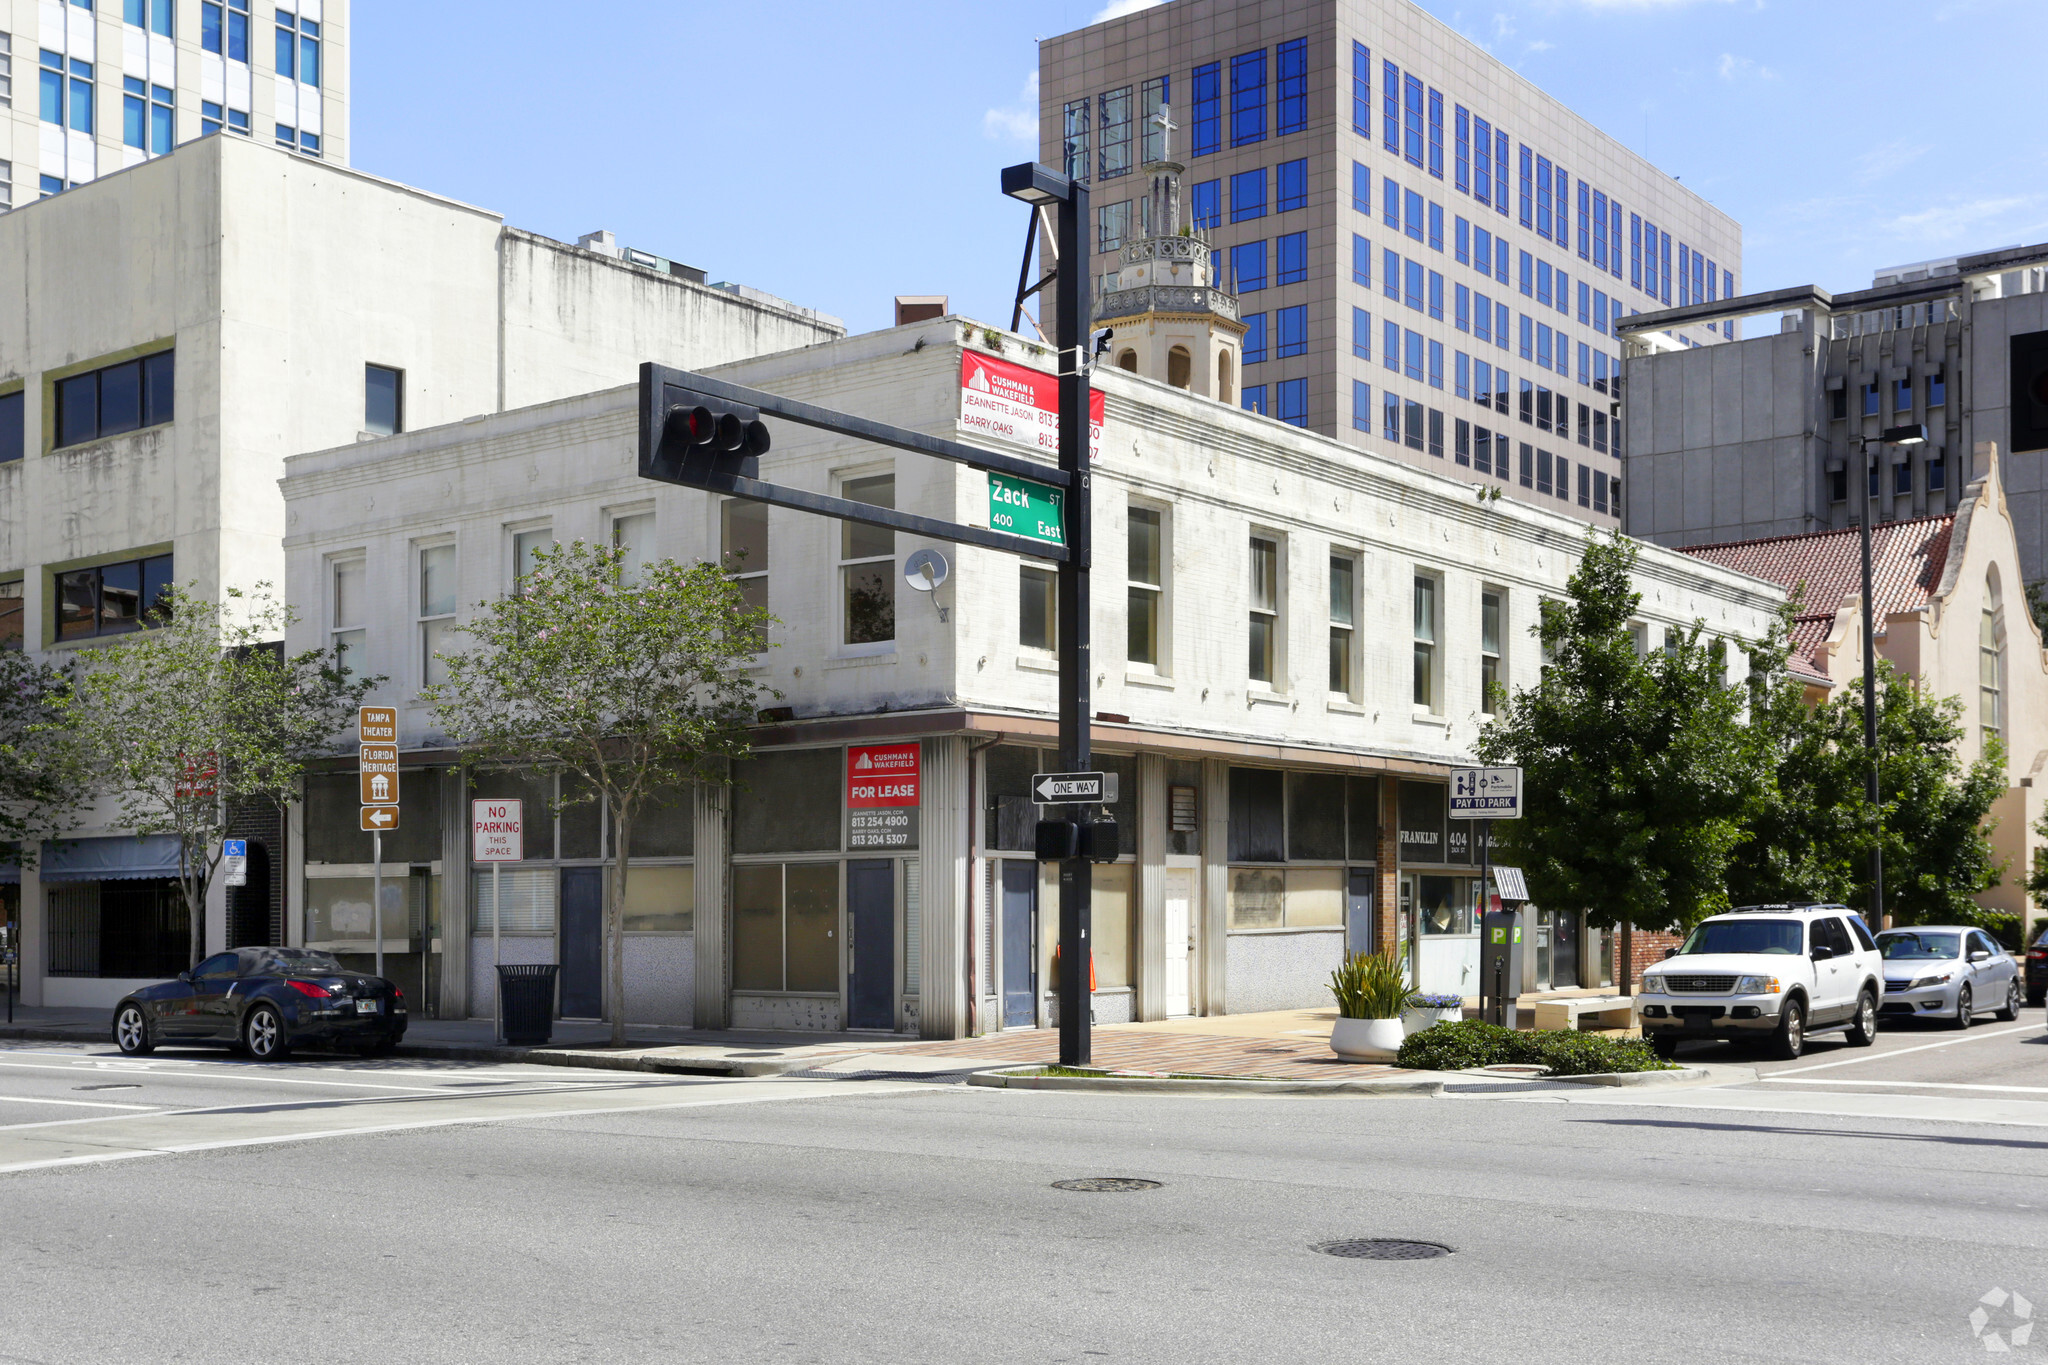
40	770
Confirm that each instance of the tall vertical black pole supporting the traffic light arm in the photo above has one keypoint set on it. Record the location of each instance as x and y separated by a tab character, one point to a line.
1076	877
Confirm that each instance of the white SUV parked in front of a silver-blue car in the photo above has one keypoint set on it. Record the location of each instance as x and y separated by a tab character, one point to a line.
1768	973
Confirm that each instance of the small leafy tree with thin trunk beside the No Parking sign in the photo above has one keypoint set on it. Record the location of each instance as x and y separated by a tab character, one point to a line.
630	682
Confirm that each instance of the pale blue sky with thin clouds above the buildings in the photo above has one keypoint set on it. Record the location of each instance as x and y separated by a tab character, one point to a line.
841	155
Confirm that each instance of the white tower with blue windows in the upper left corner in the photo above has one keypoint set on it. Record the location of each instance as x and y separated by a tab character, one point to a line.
99	85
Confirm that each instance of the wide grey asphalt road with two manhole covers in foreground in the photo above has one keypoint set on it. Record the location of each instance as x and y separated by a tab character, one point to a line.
581	1217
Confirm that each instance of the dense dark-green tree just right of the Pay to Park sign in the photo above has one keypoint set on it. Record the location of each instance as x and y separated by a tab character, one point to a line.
1637	770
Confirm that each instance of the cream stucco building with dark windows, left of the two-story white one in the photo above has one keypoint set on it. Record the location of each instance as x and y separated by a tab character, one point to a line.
179	328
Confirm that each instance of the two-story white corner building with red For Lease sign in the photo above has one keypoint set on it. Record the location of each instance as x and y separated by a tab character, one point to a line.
1293	646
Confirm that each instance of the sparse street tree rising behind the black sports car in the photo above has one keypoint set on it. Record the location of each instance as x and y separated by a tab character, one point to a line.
202	713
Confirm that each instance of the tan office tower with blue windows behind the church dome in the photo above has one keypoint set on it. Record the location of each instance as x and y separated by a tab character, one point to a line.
1428	253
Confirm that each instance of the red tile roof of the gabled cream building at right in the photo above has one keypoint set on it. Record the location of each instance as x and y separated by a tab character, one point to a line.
1906	568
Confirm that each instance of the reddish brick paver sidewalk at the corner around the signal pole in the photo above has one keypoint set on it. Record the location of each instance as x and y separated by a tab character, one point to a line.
1203	1055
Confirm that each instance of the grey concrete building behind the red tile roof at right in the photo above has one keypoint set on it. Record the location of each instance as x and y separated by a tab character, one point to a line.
1766	437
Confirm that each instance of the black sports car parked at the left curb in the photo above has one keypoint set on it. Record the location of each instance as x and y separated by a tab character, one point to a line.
265	1002
